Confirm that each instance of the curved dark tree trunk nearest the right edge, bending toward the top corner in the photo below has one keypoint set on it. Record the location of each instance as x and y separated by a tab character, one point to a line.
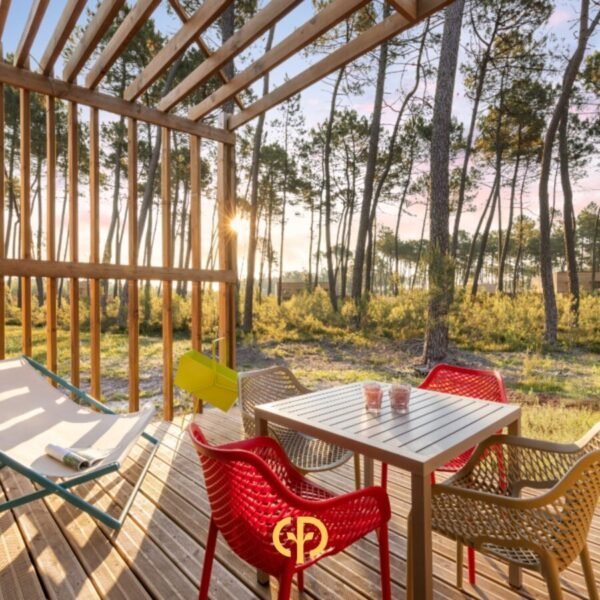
571	71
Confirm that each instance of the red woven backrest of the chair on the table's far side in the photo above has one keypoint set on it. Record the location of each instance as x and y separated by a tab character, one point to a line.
463	381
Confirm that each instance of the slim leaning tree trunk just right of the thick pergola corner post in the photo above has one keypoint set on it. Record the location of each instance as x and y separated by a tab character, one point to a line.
254	175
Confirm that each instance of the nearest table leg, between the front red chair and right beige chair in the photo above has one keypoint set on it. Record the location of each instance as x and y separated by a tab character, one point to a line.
421	576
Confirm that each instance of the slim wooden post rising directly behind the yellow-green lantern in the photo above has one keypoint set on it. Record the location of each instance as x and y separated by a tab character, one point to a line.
195	233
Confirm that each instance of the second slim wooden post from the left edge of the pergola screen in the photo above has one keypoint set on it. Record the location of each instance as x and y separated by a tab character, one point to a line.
25	111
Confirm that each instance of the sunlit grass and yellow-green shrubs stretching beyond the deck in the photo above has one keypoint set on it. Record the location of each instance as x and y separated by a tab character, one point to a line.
559	389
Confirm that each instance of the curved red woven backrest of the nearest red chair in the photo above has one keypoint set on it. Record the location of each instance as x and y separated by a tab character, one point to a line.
247	498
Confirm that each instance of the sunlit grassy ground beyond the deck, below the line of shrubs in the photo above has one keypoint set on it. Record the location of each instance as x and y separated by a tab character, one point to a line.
559	391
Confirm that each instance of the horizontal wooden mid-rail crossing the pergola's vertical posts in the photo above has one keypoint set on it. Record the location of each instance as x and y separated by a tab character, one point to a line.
44	268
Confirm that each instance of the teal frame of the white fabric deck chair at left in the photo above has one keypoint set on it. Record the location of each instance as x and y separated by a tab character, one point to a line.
48	486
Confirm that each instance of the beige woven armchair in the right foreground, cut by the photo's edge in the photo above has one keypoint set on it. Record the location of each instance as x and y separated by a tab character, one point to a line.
545	532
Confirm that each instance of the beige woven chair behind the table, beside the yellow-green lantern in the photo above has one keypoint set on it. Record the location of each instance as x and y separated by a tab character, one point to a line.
305	452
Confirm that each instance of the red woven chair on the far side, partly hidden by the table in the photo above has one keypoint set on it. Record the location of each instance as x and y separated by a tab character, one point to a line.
472	383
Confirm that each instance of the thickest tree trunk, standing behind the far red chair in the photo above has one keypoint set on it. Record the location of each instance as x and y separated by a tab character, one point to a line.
441	271
